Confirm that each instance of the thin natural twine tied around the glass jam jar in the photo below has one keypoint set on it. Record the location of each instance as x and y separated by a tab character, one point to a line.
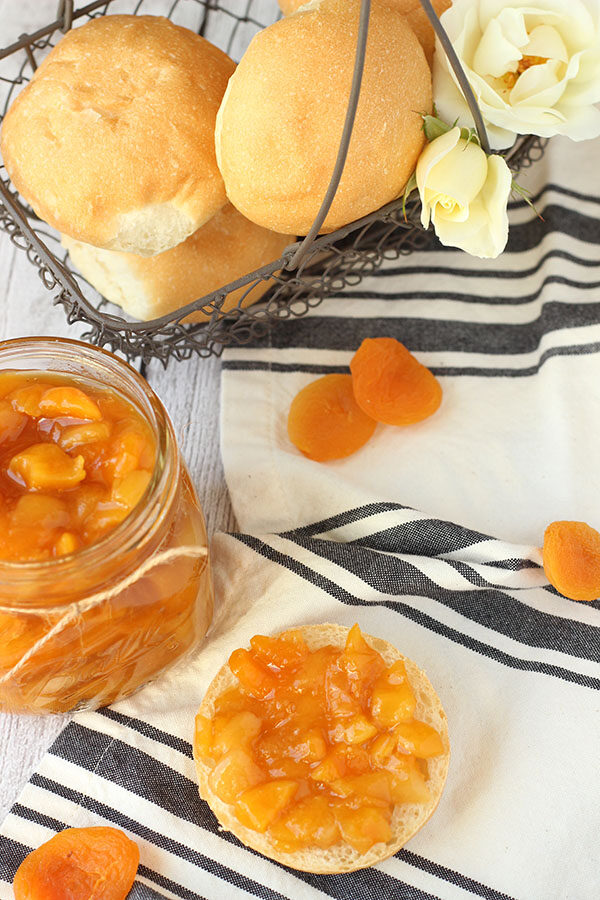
84	606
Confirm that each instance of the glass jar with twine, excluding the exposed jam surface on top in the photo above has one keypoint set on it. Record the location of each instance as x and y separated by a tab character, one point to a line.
87	629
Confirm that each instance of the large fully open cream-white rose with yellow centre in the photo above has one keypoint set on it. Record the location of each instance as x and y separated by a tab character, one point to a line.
534	67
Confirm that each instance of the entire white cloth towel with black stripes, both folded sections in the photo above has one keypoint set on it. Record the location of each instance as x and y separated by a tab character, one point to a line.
397	538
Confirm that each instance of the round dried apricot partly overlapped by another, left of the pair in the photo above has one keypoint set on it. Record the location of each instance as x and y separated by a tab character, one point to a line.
325	422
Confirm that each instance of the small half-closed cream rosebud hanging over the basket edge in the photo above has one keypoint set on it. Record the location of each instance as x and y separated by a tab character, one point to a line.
465	194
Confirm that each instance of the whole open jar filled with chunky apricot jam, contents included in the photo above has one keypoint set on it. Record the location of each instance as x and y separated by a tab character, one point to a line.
104	574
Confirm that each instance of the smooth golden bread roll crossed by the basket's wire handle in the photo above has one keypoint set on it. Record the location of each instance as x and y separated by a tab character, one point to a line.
280	123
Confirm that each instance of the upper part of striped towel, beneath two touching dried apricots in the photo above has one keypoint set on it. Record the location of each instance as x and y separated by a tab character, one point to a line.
515	343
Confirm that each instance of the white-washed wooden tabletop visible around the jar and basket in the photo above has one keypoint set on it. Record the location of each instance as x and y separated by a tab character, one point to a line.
189	390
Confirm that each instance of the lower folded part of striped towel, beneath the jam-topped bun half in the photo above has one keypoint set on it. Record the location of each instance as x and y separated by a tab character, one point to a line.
516	667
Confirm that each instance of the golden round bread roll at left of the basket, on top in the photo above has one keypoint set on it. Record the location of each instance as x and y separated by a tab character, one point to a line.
112	142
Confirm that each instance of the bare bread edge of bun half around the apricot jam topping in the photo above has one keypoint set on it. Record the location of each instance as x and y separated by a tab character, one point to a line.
407	819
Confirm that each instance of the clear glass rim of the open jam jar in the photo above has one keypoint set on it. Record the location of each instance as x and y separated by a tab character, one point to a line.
135	529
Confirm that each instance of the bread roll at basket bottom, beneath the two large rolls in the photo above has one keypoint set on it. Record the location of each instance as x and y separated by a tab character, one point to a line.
226	248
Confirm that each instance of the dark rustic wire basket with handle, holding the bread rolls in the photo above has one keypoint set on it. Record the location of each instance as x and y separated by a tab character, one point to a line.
307	272
